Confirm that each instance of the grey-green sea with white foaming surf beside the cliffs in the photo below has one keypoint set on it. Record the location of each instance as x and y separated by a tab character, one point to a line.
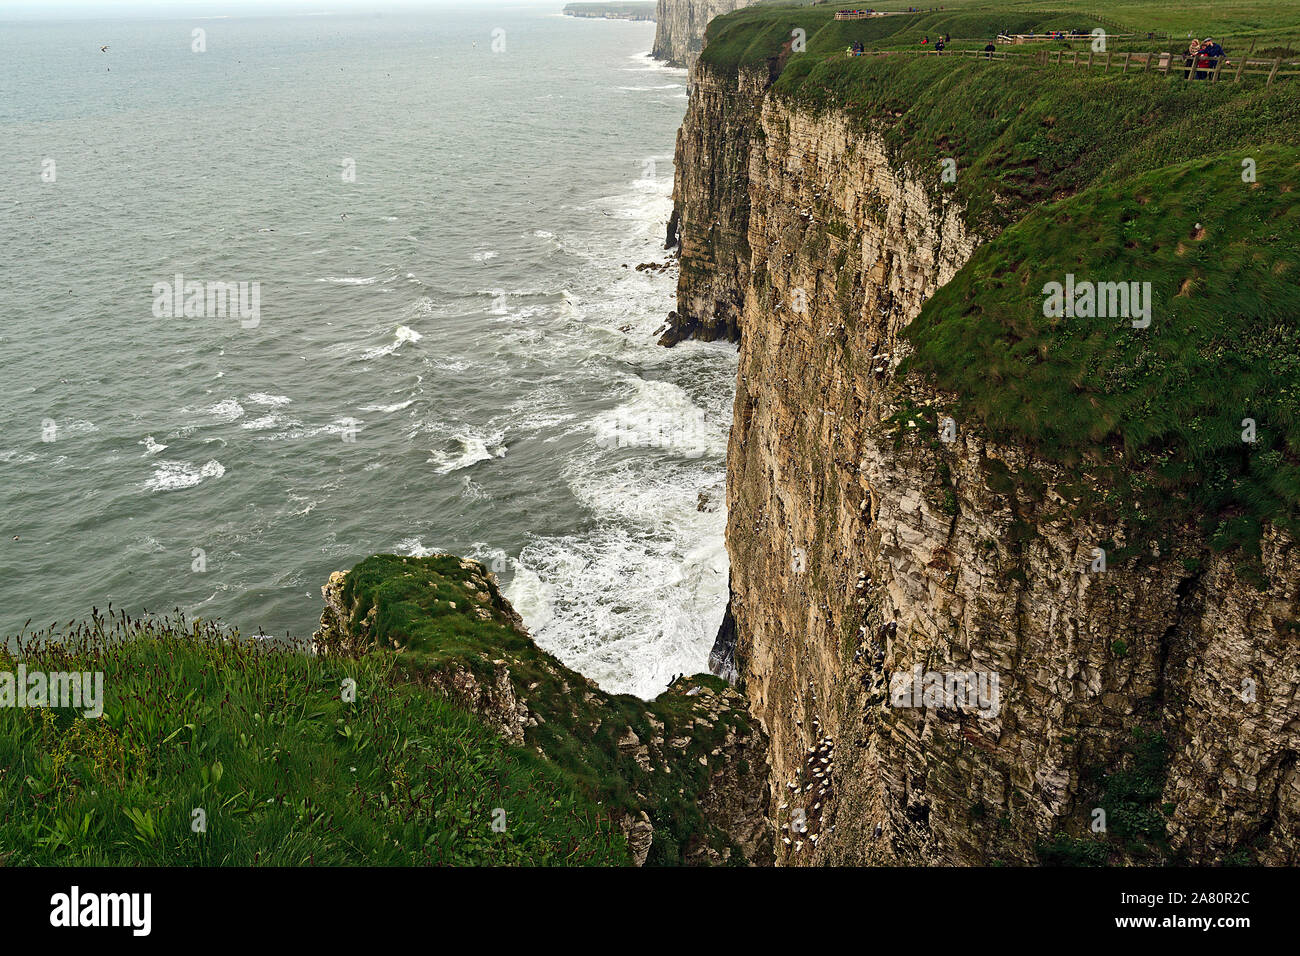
452	349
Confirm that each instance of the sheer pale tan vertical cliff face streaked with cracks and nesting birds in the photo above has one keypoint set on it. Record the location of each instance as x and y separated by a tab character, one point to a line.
864	548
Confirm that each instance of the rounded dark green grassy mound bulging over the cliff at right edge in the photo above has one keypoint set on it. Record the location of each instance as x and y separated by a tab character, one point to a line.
1154	418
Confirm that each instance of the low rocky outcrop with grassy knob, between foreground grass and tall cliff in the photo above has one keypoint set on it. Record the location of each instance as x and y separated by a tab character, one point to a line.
684	777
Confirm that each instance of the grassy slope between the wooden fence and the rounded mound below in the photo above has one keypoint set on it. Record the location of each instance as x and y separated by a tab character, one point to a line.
1024	136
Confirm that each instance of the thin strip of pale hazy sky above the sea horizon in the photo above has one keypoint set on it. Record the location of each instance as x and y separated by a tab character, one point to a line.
38	10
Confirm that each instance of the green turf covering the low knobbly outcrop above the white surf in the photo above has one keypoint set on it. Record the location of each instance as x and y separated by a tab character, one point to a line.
580	726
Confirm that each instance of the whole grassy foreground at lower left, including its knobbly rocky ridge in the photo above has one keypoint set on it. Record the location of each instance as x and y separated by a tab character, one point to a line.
291	768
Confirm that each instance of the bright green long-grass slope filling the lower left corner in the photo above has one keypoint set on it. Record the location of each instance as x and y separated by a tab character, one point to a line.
284	772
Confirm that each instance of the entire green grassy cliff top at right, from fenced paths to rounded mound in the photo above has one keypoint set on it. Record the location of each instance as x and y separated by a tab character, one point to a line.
1184	188
